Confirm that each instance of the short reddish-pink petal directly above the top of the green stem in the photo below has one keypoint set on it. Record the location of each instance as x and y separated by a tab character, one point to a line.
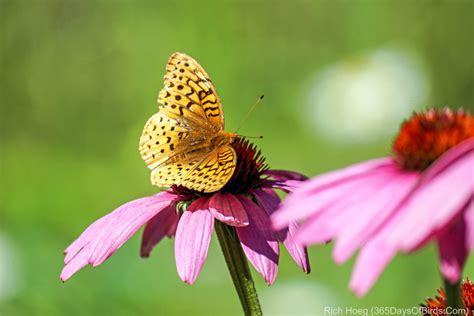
227	208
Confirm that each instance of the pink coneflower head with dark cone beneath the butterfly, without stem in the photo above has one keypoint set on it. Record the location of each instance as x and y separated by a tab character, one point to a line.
245	204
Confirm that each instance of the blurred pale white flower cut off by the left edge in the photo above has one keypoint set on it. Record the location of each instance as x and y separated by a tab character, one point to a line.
8	269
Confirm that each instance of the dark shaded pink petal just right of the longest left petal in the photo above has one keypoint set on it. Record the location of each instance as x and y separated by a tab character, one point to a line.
163	224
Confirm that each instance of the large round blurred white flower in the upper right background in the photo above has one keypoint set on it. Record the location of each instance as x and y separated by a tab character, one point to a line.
365	98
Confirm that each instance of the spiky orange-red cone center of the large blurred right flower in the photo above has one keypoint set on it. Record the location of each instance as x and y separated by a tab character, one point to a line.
426	136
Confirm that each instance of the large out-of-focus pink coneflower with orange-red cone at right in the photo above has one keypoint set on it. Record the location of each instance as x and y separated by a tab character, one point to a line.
400	203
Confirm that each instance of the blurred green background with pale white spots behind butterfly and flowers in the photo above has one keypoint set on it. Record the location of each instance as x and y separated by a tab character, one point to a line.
79	79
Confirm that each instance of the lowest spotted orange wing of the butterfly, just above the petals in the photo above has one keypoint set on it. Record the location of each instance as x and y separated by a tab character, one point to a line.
206	175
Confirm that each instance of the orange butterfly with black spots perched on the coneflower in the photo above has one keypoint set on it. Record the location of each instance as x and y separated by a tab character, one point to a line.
185	142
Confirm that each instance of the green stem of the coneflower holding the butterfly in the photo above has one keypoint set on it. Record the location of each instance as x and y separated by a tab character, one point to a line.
238	268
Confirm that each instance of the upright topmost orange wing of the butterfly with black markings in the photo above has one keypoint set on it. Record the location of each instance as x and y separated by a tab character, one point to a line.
190	94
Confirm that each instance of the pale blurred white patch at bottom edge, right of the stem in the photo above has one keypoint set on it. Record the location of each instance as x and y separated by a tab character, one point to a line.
297	298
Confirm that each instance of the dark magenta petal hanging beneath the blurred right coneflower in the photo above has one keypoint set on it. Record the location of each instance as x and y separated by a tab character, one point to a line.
453	250
